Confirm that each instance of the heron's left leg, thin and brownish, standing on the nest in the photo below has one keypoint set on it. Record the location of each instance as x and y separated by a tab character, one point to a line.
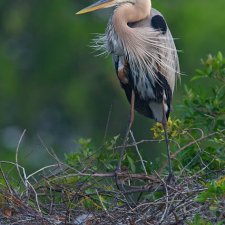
130	122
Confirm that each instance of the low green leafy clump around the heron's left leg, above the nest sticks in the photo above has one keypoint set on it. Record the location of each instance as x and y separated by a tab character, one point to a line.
104	158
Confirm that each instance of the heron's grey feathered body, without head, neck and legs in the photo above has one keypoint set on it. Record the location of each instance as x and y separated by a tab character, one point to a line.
152	77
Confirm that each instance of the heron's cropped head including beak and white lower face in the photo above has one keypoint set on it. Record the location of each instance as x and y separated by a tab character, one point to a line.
102	4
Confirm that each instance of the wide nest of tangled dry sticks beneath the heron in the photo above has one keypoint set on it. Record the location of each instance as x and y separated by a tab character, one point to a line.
61	194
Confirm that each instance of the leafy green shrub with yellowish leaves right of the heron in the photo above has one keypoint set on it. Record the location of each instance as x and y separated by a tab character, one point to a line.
200	128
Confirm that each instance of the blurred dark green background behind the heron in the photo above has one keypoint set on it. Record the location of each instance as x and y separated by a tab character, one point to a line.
53	85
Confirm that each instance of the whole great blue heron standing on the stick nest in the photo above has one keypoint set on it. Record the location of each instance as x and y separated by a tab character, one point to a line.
145	59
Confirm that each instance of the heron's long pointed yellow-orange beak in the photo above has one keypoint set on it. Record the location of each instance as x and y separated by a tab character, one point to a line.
102	4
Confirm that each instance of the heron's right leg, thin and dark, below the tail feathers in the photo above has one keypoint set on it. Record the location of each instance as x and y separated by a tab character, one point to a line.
164	123
